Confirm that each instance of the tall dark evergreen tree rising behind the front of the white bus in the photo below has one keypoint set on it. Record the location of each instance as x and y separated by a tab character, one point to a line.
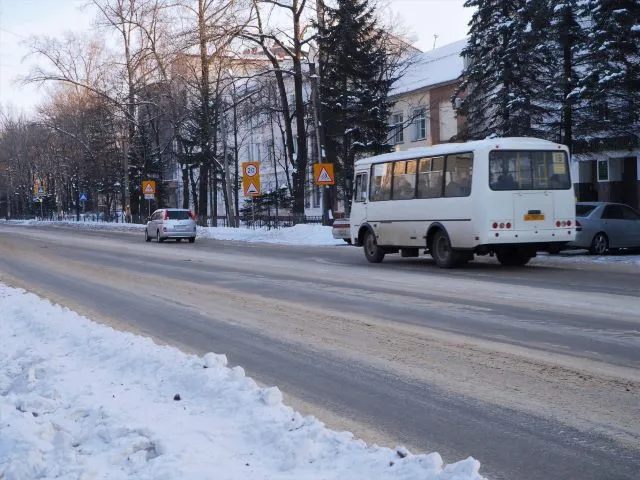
355	82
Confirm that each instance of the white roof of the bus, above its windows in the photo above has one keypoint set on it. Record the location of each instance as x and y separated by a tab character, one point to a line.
506	143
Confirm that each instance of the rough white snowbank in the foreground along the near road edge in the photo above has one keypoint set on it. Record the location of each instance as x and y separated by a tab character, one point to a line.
81	400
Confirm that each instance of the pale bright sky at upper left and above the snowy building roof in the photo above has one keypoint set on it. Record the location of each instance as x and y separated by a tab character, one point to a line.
425	19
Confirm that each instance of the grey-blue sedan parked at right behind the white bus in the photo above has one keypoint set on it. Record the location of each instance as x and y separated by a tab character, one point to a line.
603	226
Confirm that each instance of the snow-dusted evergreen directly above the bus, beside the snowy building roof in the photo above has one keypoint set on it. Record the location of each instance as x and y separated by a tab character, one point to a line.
507	66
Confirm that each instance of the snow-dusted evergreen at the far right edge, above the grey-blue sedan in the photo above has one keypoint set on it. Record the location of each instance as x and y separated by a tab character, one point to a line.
612	84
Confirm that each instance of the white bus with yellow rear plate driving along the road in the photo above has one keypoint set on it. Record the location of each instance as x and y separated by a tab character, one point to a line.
510	197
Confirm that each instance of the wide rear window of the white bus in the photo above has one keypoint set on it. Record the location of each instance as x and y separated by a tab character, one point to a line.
528	170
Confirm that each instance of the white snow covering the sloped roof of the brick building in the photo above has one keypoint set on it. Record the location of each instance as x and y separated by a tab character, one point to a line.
436	66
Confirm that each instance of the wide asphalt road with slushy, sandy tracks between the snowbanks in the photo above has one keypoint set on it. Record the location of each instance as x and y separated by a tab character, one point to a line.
533	371
